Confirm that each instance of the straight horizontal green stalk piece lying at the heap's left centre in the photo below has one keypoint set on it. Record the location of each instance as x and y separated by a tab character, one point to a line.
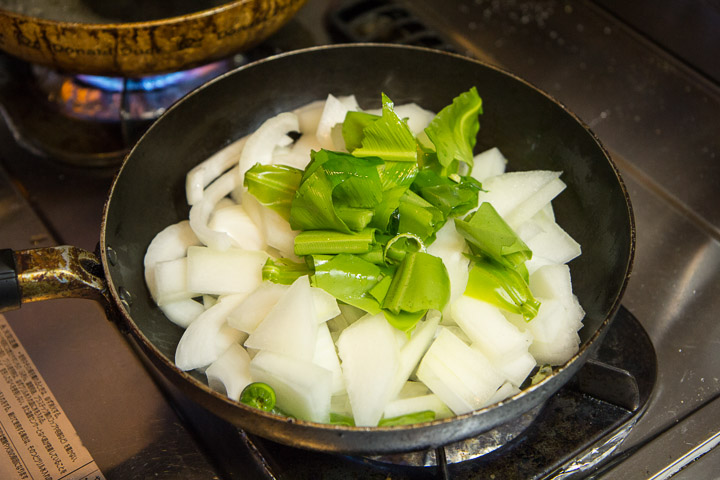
311	242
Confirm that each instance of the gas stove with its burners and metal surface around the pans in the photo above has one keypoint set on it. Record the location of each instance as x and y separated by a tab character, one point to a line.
645	406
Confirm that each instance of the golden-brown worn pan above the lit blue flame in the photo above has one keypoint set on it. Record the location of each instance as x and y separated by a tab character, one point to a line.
130	38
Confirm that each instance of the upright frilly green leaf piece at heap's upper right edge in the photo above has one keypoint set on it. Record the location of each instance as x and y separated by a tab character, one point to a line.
454	129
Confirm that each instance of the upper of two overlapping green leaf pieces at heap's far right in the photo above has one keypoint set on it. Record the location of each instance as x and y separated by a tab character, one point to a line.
489	234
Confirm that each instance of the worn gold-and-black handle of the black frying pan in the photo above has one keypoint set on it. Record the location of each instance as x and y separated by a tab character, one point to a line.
49	273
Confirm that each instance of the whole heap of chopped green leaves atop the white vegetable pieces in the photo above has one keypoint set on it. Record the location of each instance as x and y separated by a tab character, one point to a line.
366	216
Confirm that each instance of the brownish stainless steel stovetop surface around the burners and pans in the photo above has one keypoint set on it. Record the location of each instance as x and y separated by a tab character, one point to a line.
655	106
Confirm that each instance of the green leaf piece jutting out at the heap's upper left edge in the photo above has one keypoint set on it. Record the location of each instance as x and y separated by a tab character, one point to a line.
274	186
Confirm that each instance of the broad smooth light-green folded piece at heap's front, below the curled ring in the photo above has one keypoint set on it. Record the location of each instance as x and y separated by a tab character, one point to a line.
421	282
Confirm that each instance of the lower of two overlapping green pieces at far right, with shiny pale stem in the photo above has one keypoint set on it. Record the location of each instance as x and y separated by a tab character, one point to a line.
502	286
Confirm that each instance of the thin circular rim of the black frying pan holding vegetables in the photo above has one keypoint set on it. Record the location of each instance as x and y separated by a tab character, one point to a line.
580	356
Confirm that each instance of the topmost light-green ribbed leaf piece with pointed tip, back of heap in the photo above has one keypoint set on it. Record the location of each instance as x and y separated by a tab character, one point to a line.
388	138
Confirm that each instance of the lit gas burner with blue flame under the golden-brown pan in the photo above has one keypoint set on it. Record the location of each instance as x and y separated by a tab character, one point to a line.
87	120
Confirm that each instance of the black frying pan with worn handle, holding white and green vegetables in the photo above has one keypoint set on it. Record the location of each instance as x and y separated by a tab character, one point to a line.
531	129
